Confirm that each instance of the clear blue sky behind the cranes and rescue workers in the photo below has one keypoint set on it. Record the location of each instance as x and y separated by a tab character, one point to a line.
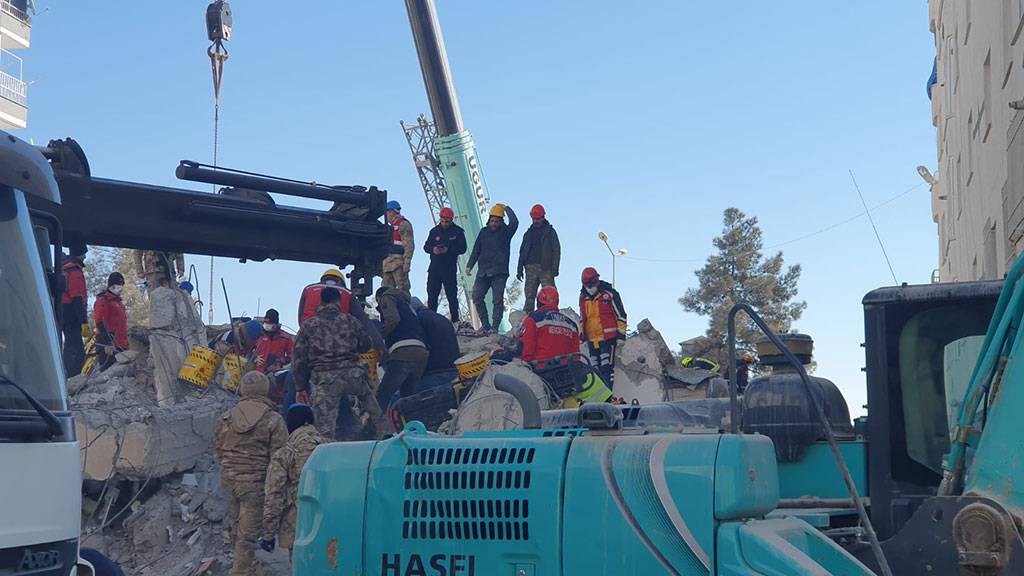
646	120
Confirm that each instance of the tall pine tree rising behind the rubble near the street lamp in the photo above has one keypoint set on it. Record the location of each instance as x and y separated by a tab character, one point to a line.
739	273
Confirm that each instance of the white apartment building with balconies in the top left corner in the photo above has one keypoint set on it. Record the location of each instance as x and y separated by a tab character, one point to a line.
16	34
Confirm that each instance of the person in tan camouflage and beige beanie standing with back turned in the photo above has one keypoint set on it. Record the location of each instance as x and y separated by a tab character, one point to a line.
246	438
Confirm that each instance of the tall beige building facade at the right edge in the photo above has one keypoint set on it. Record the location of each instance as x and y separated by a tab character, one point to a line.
978	112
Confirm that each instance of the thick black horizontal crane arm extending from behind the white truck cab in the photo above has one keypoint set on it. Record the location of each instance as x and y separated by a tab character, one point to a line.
242	222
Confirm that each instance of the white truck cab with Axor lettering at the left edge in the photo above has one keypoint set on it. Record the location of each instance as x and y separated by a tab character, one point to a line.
41	479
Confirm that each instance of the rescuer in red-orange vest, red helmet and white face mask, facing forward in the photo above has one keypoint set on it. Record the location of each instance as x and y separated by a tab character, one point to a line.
604	322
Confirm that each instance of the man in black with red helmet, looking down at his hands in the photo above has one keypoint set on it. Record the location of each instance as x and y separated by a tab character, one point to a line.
445	244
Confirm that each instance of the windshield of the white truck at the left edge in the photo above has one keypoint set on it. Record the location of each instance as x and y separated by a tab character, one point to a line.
29	352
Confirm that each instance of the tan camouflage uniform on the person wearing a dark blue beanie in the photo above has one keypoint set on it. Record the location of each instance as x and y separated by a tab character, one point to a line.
283	484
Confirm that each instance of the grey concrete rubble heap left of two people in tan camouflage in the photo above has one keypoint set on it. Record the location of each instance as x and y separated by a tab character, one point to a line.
152	496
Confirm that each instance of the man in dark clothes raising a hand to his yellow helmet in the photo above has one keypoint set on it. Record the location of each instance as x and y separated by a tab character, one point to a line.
492	252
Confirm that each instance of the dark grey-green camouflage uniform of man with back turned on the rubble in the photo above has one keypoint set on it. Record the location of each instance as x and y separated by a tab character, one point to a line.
326	363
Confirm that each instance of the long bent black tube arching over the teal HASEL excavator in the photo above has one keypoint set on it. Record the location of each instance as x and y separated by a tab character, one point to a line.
873	538
